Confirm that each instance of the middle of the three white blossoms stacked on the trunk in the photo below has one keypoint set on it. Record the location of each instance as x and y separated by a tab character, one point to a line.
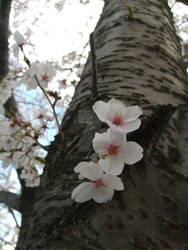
115	151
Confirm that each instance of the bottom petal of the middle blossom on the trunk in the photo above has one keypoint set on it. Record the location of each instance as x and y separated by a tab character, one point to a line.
111	168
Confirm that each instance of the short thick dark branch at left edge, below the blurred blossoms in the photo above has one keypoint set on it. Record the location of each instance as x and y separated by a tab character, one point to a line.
10	199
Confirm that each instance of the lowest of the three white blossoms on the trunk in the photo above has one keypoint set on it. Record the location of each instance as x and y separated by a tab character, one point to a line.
101	186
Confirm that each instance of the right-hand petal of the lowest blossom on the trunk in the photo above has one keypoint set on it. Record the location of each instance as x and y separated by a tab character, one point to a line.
112	181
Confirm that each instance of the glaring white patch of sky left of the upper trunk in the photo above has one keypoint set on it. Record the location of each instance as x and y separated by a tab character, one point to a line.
56	33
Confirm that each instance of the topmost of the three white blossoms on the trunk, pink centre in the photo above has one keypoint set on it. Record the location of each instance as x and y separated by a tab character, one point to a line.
118	117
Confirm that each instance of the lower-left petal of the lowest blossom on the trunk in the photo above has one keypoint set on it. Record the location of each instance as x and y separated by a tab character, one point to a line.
83	192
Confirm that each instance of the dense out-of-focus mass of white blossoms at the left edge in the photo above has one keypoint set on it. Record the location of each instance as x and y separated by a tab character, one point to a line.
18	146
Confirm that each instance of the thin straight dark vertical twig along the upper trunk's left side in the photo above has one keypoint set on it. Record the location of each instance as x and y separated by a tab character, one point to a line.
93	65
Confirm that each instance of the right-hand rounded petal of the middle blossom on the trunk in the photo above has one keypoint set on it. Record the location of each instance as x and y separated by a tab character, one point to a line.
131	153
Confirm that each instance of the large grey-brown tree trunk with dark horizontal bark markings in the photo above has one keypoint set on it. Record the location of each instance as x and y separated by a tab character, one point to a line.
138	62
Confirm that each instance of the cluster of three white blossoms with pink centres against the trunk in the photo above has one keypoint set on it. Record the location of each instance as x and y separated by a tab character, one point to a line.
114	152
